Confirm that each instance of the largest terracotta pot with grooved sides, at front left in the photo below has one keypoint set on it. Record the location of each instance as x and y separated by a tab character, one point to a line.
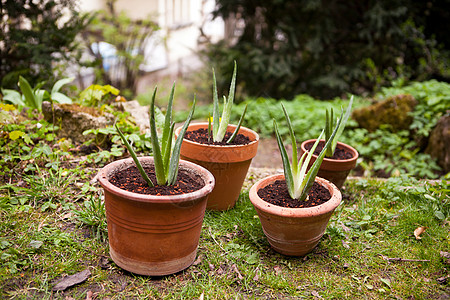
154	235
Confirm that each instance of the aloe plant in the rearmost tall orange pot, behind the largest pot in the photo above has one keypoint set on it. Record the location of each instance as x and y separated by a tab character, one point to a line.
219	125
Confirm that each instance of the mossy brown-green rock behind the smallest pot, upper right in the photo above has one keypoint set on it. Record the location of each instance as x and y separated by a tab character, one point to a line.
393	111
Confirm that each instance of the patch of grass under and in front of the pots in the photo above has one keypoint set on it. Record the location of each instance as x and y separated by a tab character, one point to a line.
374	225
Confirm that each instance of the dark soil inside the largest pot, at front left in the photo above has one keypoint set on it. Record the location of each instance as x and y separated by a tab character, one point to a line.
131	180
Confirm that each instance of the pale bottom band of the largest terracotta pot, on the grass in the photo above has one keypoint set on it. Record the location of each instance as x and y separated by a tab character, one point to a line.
152	268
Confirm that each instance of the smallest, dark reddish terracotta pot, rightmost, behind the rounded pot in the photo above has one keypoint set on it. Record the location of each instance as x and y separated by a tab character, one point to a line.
334	170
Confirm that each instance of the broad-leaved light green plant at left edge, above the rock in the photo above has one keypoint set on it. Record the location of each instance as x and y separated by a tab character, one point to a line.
33	97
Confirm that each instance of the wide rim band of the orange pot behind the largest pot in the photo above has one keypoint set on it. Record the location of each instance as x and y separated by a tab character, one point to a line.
226	153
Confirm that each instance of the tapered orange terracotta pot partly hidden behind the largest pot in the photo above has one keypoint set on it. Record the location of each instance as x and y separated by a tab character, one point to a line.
228	164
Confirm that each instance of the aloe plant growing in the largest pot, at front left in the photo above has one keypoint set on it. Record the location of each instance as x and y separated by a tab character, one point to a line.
166	157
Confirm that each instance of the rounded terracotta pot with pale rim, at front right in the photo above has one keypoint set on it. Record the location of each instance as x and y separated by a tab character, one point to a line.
294	231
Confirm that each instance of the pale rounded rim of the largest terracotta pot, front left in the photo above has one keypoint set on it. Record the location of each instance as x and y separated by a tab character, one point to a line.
121	164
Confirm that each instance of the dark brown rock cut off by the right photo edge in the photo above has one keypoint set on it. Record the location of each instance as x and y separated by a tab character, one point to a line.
439	143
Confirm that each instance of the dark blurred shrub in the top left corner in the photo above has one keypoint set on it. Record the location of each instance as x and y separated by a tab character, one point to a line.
32	51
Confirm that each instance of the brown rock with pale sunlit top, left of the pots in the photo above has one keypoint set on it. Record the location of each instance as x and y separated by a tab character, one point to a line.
73	120
